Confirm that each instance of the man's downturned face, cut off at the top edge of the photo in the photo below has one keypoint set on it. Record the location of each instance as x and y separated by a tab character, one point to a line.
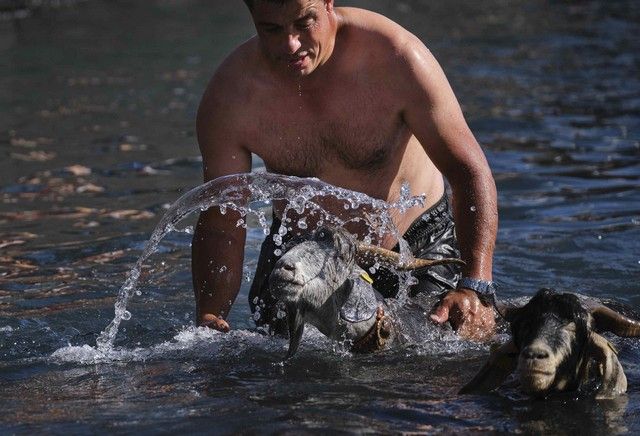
296	36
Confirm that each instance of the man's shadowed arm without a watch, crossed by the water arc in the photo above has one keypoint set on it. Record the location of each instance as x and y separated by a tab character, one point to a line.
218	244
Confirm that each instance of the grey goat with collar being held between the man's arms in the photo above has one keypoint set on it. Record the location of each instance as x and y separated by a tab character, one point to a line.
319	281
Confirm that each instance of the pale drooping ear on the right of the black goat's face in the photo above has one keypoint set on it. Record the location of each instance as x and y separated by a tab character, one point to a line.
612	381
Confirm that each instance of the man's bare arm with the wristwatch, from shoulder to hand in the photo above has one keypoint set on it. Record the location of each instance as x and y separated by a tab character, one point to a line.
435	118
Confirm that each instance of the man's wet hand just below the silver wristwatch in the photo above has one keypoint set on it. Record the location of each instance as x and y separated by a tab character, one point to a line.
466	313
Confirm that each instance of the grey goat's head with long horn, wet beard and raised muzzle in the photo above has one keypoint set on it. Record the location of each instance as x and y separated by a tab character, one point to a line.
314	278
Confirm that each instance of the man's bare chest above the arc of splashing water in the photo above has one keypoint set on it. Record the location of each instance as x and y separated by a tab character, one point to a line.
305	135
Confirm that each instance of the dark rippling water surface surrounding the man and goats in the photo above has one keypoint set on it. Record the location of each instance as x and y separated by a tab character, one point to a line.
97	104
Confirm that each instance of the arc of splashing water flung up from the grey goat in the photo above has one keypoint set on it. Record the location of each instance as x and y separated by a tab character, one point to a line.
247	194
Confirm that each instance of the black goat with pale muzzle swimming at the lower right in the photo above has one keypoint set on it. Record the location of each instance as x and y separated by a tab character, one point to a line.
555	347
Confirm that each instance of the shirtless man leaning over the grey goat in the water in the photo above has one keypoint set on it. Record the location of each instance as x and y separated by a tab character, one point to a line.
350	97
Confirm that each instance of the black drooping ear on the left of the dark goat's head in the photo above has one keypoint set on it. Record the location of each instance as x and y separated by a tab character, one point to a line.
501	363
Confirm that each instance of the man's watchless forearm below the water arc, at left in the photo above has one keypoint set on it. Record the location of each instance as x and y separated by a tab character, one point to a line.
217	257
